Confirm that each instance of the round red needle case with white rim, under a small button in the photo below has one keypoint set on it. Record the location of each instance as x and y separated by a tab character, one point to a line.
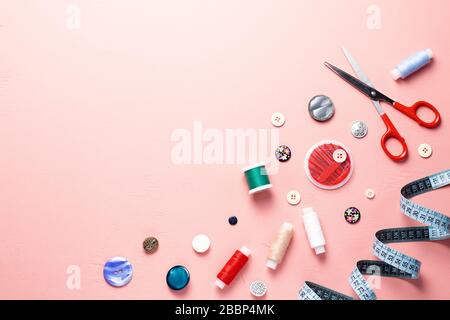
322	170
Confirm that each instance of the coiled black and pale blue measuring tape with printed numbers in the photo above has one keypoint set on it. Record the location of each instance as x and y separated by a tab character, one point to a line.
393	263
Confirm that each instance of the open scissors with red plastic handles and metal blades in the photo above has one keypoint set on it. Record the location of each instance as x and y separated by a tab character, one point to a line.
365	86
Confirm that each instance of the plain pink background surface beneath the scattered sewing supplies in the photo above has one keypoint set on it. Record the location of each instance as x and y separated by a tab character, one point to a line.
86	118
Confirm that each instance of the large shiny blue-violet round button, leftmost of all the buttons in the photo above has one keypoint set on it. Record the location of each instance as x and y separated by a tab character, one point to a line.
117	272
